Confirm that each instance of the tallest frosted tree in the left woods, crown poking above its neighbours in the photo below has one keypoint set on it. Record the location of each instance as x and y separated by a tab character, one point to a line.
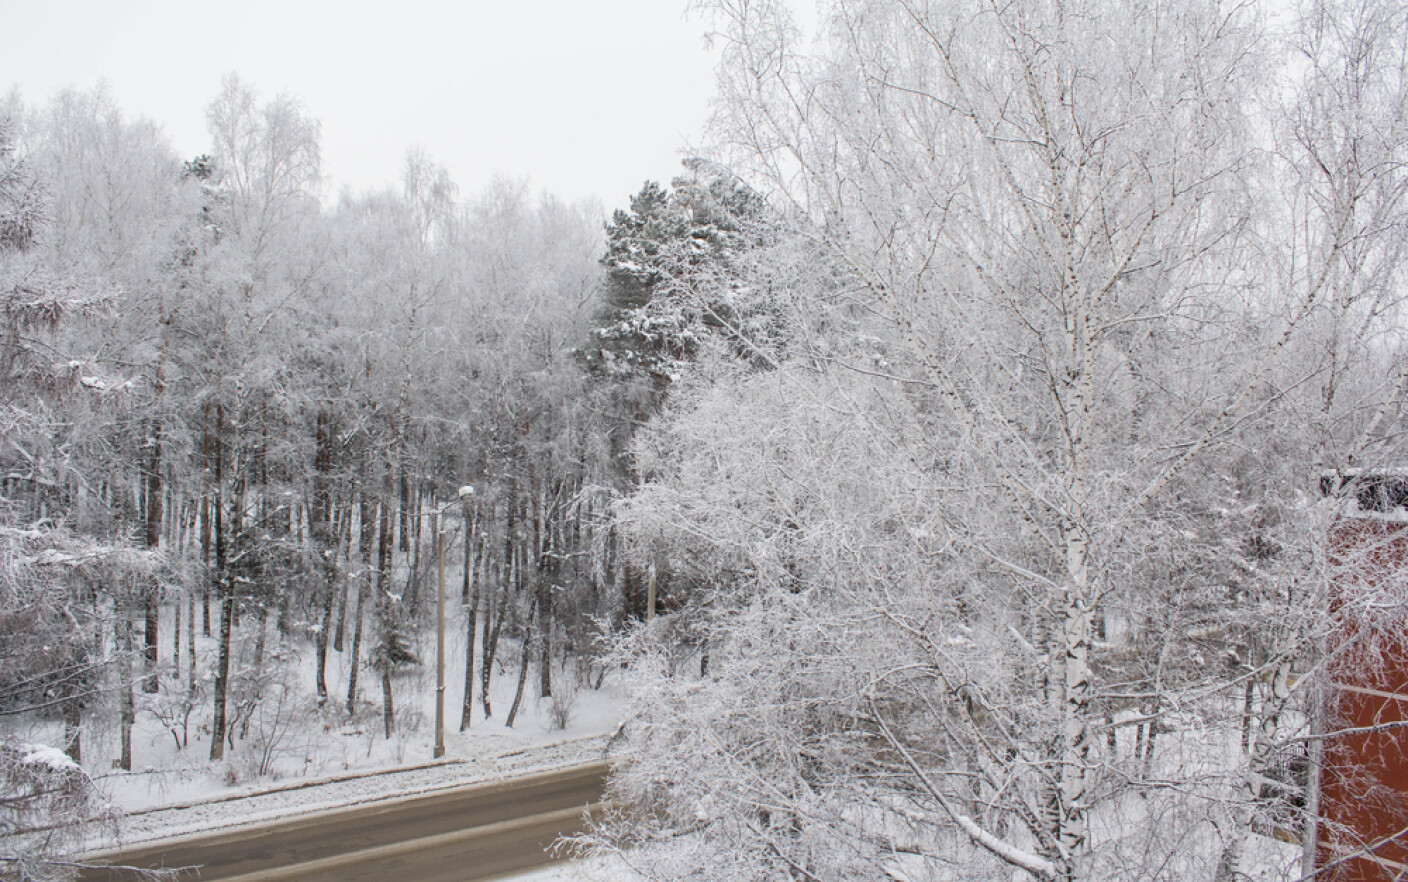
268	164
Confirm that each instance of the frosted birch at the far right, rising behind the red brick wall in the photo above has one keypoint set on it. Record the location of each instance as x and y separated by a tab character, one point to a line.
1340	212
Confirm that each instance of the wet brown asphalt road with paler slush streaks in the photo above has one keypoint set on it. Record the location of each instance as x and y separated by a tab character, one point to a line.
470	833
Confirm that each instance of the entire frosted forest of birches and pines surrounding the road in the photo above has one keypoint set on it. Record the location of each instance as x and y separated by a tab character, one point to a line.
944	468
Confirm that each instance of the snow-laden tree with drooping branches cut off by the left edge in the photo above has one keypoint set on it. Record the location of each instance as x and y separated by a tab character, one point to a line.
51	580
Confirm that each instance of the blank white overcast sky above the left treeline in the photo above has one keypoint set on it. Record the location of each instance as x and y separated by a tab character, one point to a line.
586	98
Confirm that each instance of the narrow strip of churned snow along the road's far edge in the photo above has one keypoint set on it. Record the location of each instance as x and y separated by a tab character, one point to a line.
350	790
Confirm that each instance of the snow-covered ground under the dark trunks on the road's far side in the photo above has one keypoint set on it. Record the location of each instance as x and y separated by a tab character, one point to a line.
295	756
